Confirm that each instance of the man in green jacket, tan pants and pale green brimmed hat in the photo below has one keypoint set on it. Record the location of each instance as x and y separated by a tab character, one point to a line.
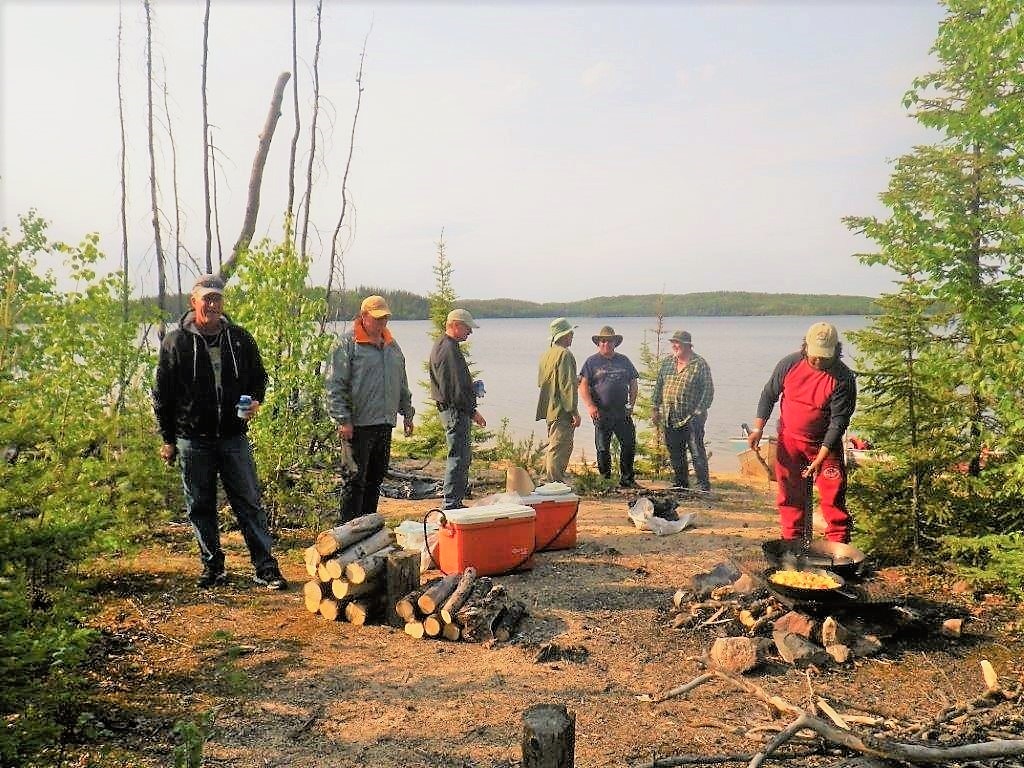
559	405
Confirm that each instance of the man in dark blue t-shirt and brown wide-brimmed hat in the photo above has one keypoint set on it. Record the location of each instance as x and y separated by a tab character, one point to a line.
609	390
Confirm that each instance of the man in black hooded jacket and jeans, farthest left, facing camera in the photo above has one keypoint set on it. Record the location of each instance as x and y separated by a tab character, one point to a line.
206	367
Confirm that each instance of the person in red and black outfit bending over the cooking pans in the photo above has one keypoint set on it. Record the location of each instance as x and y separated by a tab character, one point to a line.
819	395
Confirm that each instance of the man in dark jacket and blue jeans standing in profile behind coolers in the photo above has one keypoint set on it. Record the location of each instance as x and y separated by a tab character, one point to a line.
452	389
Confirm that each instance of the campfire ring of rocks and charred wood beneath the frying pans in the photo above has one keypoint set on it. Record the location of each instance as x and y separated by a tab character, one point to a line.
753	626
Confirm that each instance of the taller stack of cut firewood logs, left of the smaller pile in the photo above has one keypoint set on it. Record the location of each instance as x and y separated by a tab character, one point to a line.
358	574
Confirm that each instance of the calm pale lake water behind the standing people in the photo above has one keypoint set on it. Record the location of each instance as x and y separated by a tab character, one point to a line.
742	353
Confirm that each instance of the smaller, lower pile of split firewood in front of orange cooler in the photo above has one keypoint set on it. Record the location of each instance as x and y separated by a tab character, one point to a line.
461	607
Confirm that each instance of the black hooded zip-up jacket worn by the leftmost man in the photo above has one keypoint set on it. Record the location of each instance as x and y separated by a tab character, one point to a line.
186	399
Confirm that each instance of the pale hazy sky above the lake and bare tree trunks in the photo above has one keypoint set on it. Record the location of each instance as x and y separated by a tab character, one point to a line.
564	151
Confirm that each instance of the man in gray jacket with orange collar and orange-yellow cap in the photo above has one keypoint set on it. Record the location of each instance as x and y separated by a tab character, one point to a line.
367	388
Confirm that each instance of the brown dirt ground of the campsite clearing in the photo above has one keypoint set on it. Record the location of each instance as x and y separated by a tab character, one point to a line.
287	689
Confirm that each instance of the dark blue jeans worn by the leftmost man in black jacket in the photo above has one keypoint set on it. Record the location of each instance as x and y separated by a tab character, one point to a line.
202	460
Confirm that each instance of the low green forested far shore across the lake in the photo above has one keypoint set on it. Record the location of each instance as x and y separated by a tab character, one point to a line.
407	306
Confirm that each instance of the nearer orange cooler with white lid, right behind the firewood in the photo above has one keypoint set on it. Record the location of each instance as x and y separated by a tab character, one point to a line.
494	539
